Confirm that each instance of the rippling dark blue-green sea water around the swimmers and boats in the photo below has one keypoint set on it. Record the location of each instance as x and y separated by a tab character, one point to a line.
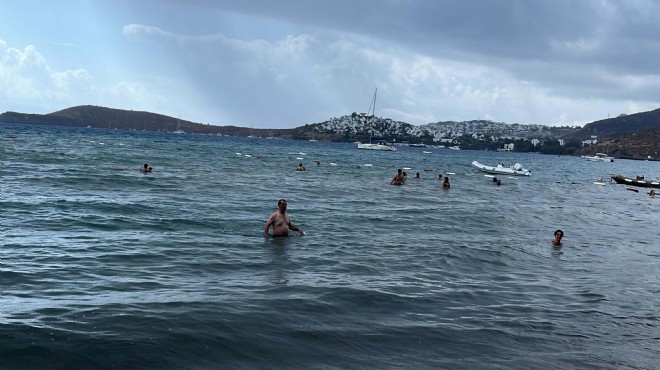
106	267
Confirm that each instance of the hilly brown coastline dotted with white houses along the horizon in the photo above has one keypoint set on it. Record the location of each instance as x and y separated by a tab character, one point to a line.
634	136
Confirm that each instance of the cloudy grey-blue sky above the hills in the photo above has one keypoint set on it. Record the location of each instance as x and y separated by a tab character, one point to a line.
285	63
